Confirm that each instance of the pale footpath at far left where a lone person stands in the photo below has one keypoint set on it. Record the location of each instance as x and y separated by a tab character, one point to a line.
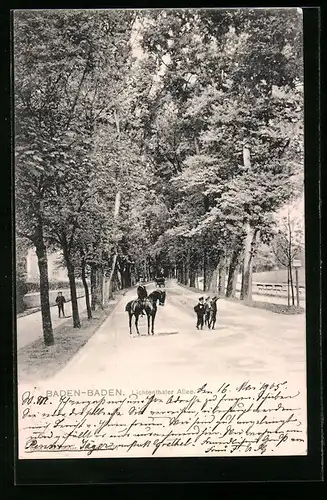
29	328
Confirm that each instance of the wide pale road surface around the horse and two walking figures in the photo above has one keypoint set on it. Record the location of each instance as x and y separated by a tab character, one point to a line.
247	342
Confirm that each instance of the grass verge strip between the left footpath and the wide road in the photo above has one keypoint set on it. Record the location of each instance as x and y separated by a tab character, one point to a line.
37	361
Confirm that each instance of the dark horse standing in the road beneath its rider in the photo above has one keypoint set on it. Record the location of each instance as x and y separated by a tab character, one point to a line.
149	305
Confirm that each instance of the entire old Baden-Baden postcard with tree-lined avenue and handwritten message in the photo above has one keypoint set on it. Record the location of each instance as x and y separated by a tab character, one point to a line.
160	233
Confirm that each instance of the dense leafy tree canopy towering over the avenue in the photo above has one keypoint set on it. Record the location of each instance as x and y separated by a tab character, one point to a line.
155	139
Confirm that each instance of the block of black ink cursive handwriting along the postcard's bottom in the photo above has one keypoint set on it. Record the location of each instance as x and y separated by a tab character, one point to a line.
207	421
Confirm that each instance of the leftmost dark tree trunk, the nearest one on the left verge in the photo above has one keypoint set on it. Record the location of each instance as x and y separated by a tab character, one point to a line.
42	260
